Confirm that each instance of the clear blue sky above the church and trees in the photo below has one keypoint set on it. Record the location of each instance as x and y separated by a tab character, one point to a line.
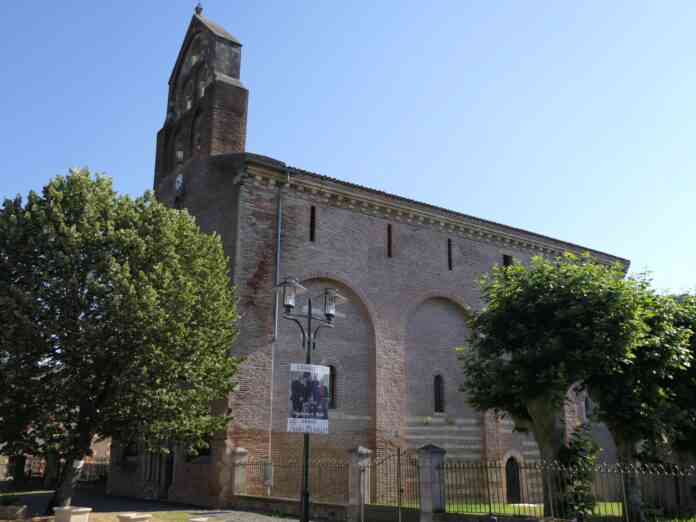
575	120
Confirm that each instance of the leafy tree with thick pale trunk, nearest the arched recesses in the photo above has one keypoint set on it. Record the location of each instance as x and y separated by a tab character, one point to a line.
541	329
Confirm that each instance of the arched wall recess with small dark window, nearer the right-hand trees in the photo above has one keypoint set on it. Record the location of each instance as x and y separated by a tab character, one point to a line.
434	328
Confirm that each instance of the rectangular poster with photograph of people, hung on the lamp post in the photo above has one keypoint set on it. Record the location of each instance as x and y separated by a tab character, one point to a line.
308	399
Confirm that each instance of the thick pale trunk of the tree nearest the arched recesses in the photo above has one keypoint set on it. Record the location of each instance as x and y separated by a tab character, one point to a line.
549	433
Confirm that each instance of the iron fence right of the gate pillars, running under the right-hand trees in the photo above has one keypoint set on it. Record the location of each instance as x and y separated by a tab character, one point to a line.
551	490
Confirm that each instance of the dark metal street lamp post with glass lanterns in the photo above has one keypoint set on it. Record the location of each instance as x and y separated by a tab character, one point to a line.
290	288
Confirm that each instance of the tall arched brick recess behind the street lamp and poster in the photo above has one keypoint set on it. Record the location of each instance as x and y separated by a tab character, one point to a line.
349	347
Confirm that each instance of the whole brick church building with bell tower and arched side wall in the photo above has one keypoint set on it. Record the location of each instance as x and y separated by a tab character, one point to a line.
407	269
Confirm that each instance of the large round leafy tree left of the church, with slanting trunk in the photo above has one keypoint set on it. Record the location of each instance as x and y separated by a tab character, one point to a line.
116	320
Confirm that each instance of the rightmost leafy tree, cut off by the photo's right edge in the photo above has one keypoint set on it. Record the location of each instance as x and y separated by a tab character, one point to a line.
637	396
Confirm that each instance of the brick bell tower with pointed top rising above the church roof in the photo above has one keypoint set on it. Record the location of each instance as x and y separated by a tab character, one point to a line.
207	103
